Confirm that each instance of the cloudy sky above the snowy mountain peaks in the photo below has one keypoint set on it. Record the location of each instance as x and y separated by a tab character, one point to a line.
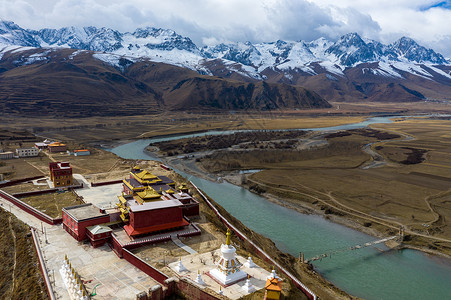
212	21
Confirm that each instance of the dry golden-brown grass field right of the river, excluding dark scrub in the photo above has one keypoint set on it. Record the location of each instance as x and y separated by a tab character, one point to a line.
416	195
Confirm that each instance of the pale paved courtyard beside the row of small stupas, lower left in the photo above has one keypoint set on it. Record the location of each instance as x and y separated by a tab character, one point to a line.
118	279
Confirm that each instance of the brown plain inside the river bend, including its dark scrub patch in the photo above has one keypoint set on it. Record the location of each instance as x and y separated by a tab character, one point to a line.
410	192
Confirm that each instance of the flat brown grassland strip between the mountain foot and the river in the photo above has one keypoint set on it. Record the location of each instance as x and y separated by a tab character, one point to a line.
117	129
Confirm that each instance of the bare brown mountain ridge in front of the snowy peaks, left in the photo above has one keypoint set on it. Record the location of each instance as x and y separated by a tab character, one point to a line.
39	82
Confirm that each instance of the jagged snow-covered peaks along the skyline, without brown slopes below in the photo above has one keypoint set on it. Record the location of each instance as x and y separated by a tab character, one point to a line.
247	59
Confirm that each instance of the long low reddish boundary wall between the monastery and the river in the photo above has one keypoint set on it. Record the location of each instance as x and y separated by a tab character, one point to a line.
260	251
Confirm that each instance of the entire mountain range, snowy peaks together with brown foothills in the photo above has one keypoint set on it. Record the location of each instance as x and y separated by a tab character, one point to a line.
351	69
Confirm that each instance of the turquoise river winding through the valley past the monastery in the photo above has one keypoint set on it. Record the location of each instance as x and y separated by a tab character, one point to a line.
371	273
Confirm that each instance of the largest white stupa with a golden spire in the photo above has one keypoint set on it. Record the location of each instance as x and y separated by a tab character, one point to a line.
227	269
